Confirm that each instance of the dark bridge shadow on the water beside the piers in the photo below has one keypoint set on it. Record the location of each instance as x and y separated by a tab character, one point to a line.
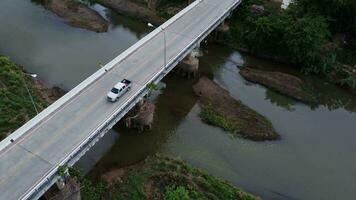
172	106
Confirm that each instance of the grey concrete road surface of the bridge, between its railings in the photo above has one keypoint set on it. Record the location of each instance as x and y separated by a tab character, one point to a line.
32	156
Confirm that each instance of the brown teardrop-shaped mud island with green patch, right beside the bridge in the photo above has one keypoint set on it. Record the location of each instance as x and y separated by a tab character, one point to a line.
219	109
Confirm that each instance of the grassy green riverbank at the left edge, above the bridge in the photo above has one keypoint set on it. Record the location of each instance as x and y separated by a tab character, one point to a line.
16	101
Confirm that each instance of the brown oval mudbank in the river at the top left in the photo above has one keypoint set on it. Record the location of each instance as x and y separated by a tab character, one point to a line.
77	14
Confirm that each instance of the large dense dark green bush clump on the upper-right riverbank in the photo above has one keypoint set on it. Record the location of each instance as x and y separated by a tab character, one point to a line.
285	34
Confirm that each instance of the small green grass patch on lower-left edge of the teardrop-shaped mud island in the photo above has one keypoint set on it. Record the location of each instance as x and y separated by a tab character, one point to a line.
210	116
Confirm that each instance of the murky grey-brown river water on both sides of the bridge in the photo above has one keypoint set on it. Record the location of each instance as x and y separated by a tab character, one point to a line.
313	160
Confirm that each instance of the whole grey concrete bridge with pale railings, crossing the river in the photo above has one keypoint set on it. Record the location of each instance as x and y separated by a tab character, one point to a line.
67	129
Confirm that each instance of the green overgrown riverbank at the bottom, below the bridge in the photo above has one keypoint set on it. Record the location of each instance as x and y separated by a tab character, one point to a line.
162	178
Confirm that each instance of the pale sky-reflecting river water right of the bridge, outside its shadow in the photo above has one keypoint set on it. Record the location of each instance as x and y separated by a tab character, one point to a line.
316	152
